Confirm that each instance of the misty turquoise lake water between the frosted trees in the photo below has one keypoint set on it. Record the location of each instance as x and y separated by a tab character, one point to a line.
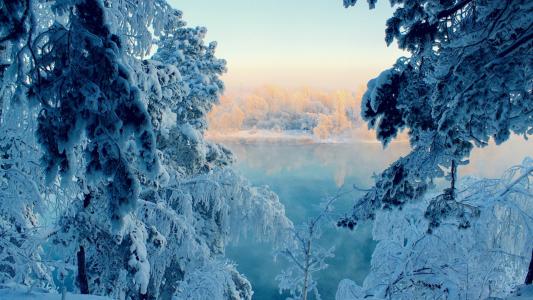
303	174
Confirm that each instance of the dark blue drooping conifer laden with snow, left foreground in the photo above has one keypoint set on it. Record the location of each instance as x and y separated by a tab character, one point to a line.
91	112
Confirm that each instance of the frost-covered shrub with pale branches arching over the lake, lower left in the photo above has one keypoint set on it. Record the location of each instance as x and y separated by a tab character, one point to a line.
218	207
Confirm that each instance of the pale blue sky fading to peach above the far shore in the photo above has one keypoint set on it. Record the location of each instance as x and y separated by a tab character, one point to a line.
295	42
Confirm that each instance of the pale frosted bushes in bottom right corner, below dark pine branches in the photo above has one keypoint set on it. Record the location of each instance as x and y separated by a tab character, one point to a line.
487	259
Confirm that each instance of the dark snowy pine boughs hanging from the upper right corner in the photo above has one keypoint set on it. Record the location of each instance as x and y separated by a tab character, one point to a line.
467	80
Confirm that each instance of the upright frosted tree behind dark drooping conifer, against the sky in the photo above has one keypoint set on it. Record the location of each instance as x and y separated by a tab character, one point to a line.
184	49
